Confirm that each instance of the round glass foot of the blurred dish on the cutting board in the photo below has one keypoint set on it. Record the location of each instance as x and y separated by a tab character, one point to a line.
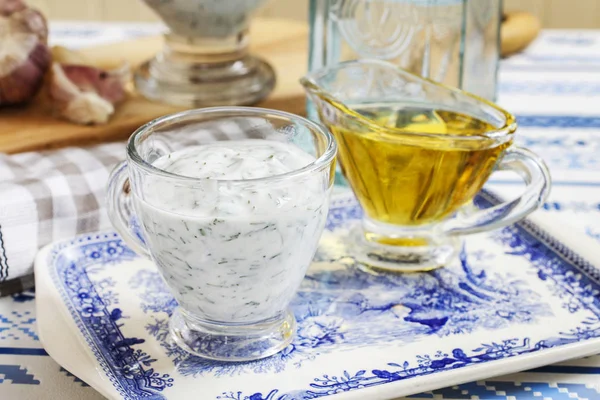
205	72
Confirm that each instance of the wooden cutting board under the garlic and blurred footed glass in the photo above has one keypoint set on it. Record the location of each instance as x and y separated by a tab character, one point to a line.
283	43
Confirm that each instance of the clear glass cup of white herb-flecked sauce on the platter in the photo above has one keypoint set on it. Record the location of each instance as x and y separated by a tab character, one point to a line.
230	203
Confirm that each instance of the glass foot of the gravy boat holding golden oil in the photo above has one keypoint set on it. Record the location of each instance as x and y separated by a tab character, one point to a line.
403	251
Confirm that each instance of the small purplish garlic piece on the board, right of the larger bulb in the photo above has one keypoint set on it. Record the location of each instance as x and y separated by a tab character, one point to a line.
84	94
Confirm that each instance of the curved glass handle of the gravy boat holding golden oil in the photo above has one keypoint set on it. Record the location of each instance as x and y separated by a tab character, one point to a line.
534	172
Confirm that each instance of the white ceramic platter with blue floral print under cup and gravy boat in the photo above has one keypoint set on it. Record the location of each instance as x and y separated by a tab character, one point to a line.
515	299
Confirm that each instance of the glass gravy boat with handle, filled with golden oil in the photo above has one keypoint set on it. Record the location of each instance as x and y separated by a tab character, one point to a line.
416	153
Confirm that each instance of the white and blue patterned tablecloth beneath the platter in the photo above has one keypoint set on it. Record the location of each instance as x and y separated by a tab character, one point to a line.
553	87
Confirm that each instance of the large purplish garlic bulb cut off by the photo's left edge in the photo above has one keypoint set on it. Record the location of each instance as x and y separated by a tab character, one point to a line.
24	54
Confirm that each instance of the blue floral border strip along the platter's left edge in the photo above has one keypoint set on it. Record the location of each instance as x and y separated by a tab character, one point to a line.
94	306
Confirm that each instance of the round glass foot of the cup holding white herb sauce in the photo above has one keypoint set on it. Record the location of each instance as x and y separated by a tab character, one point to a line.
232	342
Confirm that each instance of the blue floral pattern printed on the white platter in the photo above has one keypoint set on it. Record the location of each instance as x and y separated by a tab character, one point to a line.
340	307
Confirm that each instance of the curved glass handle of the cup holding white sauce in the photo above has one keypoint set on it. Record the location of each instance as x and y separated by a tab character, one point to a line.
120	209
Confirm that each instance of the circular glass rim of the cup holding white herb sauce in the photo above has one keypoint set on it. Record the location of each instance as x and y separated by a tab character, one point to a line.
235	111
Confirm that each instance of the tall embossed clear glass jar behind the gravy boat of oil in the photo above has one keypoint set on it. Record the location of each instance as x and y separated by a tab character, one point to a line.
455	42
